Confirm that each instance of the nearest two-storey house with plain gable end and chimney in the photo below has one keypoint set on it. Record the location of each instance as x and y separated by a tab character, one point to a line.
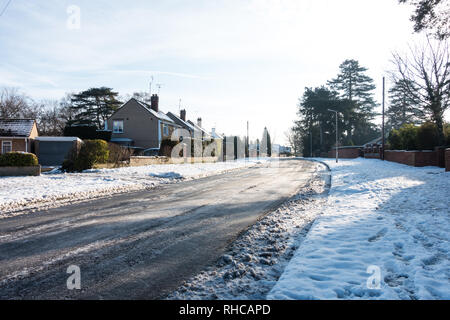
140	125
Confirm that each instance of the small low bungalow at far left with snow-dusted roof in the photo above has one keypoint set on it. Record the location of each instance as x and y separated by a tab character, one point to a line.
17	135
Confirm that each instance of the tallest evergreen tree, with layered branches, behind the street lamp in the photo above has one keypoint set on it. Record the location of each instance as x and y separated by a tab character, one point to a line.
355	87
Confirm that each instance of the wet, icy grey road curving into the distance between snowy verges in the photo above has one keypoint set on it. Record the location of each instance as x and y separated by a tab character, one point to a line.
140	245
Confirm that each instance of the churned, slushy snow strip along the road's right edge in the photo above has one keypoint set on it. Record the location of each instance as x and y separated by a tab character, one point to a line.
255	261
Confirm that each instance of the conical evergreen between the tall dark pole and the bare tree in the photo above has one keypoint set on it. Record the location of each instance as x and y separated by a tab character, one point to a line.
403	108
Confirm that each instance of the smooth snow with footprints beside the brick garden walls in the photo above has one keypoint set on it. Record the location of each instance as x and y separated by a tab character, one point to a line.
382	221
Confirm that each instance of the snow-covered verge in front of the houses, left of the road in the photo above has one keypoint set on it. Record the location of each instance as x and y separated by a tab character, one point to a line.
20	195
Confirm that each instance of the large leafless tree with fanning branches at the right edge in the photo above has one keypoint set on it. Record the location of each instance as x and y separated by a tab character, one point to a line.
426	74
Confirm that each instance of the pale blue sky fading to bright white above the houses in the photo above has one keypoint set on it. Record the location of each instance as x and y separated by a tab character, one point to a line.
228	61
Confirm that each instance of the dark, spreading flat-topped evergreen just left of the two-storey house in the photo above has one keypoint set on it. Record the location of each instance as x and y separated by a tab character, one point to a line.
94	106
